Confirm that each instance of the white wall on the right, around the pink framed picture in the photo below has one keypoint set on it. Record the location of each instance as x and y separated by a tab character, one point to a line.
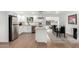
69	27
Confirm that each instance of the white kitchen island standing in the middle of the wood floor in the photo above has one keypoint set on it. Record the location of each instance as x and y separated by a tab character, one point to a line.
41	35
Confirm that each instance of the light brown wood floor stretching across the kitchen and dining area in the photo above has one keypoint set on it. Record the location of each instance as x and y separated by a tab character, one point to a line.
28	41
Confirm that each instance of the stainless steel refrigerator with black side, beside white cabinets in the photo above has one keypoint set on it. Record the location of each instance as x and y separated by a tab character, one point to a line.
13	27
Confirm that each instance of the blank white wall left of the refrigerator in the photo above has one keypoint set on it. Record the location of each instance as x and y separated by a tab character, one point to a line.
4	26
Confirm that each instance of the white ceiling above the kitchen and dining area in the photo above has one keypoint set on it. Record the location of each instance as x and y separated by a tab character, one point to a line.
40	12
